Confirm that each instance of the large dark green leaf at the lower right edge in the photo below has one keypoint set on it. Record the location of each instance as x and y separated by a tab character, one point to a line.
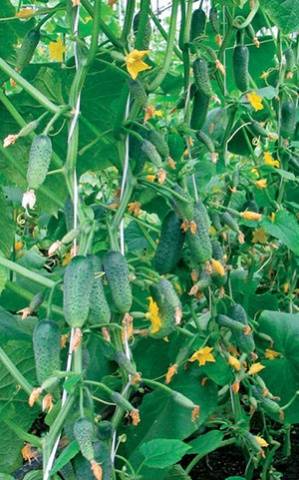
282	374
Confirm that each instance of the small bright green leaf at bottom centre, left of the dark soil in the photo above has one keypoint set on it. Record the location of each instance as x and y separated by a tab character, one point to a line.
163	452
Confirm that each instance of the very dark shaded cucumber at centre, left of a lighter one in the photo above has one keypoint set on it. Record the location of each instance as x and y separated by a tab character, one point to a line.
170	245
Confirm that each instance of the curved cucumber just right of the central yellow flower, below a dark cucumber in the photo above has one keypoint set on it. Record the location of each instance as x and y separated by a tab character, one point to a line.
170	308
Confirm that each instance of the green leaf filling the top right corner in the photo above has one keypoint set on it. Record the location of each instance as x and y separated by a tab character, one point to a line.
283	13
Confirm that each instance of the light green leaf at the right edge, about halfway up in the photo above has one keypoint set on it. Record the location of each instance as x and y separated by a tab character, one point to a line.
285	228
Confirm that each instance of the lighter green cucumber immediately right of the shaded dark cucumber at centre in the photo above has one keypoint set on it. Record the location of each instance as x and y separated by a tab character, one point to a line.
199	242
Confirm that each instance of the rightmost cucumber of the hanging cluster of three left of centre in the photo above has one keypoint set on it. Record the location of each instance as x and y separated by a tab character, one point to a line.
117	273
